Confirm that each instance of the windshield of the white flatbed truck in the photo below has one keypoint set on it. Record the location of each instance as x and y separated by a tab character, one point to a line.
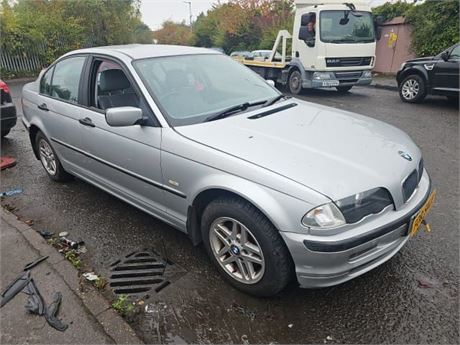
346	26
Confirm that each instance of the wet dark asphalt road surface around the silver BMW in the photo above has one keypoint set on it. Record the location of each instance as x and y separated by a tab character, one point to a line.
413	298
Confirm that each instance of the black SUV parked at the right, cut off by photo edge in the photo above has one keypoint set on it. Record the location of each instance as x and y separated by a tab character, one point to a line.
436	75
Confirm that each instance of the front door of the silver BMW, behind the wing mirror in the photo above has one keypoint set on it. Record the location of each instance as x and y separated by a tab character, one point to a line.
124	160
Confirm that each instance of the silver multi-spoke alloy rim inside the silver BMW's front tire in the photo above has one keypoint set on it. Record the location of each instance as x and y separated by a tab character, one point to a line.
237	250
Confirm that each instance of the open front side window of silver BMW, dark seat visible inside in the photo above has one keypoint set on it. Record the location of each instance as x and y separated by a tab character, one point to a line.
112	87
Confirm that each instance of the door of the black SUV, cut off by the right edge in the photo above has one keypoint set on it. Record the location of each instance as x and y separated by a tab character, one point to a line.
446	73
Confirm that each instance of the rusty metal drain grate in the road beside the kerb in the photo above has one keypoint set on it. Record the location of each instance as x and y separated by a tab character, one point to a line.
139	272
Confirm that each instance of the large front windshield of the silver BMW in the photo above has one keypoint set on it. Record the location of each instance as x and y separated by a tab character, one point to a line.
191	88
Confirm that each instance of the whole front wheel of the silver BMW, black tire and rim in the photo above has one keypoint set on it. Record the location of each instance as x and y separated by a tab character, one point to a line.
274	270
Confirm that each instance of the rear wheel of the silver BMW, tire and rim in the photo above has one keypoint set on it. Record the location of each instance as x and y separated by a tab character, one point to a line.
50	160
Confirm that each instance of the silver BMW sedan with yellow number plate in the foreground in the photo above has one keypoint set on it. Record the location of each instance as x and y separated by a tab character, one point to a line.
272	186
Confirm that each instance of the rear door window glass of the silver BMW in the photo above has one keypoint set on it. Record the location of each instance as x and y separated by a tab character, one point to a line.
66	79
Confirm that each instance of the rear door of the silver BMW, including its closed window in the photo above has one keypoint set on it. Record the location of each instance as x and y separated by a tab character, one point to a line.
59	107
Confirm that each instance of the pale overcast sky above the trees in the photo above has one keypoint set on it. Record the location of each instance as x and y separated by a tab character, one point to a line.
155	12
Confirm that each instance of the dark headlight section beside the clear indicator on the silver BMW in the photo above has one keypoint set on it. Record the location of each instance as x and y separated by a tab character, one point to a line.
358	206
